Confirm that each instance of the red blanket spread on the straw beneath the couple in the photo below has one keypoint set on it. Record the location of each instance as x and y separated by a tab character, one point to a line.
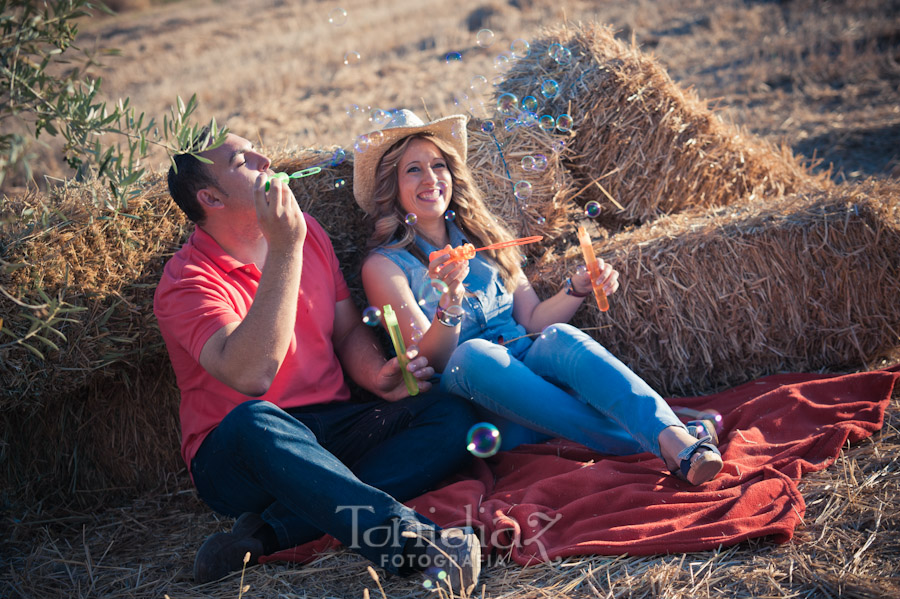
557	499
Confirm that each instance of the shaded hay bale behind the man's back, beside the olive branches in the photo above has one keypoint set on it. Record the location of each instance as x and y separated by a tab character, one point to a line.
101	410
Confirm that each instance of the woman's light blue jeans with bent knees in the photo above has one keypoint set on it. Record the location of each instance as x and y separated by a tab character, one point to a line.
565	385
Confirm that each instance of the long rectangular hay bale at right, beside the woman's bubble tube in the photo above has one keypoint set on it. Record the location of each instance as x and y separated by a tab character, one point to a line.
716	298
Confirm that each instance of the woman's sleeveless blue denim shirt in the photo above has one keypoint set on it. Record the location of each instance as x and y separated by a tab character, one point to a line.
487	304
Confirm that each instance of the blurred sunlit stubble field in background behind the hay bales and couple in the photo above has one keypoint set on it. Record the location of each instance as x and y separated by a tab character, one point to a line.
821	77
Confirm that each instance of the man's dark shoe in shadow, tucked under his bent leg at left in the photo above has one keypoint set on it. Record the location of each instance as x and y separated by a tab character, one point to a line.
224	552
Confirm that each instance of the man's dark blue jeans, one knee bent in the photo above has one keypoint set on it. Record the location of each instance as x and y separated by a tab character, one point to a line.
340	468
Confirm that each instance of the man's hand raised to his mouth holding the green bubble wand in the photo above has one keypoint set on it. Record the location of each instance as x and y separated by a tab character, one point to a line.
280	218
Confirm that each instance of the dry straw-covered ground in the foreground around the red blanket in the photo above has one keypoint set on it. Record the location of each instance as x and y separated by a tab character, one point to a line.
847	547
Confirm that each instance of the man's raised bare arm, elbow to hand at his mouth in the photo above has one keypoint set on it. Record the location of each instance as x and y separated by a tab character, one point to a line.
246	355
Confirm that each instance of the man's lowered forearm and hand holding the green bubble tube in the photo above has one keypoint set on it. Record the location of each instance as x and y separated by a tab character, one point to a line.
361	357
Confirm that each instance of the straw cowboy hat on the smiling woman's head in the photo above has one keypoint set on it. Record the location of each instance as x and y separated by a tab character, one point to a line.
450	129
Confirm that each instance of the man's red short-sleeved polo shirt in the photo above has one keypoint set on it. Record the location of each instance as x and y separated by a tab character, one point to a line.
203	289
